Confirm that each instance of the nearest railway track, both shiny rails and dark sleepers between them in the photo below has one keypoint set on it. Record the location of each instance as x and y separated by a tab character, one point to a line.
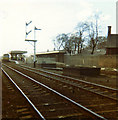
48	103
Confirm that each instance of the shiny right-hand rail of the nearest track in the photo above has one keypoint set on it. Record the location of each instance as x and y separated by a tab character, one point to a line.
72	101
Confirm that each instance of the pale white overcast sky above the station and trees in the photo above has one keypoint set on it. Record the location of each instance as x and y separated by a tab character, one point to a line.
52	16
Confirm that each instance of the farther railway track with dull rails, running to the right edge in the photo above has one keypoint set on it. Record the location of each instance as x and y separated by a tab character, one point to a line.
96	88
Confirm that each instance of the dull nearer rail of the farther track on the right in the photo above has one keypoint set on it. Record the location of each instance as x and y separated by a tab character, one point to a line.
74	85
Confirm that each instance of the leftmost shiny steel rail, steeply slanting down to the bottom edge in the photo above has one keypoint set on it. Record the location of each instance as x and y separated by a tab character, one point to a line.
24	95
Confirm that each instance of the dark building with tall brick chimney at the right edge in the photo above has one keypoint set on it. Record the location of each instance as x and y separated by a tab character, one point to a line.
112	43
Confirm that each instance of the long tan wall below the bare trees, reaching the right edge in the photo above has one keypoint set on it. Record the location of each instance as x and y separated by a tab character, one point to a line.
108	61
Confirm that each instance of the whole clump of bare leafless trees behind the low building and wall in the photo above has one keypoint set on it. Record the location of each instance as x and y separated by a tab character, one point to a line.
86	32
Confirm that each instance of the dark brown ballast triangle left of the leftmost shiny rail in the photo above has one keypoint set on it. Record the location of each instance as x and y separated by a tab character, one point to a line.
14	105
